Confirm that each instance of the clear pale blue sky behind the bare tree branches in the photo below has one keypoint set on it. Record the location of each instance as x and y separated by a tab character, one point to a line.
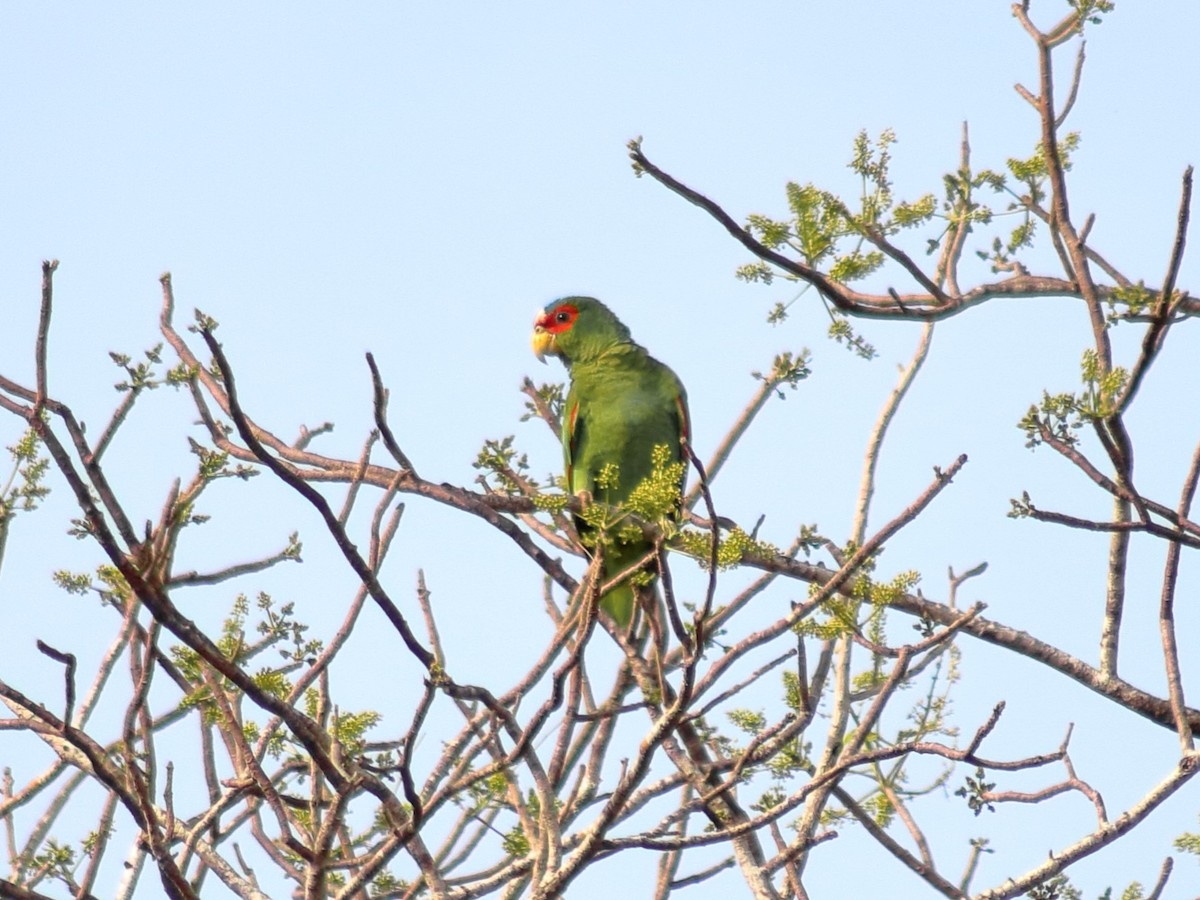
417	179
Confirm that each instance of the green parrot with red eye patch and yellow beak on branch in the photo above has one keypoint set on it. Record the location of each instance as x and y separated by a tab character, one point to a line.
622	405
